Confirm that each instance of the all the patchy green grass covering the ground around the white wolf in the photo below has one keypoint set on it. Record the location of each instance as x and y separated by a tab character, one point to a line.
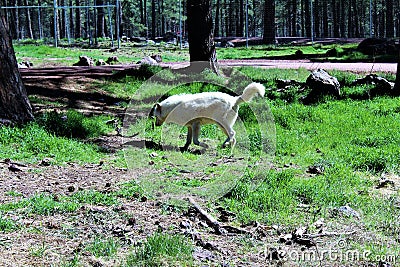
352	142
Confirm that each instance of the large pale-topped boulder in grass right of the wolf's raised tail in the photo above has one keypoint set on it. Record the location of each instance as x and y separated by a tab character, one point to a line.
321	83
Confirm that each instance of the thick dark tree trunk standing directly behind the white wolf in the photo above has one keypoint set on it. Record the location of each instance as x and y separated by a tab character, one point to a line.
200	33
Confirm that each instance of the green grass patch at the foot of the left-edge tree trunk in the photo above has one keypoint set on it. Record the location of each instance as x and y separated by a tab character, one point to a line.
55	136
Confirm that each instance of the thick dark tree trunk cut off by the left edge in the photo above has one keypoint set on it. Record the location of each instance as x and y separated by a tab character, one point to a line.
14	103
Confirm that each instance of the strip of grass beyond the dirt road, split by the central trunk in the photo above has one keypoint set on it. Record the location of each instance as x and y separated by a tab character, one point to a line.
42	55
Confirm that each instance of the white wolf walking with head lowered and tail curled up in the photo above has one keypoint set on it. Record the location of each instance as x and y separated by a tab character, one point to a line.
194	110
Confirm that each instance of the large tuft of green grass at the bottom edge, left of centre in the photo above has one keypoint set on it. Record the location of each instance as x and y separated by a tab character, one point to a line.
162	249
